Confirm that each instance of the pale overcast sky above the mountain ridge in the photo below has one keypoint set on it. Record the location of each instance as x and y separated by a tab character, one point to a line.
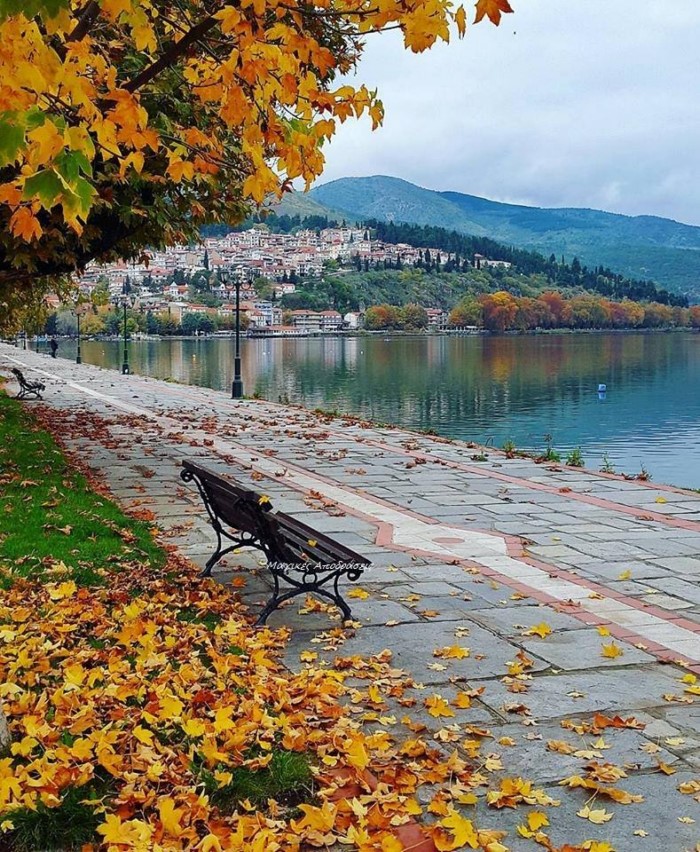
569	103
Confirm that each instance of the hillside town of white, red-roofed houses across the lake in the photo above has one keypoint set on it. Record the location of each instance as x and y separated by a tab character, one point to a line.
246	258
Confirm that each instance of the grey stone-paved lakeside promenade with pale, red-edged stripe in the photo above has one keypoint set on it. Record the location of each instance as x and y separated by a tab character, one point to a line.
466	553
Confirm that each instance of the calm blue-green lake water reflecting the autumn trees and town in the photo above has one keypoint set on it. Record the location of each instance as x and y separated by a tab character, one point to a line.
485	389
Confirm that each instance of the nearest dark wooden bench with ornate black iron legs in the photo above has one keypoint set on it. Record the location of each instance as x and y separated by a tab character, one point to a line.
308	561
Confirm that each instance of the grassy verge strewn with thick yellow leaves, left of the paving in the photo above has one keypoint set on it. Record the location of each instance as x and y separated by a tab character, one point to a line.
147	713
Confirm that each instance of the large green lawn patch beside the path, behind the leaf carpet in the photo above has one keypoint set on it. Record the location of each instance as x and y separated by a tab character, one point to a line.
49	513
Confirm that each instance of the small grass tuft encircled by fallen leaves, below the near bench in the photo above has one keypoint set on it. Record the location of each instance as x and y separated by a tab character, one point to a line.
287	779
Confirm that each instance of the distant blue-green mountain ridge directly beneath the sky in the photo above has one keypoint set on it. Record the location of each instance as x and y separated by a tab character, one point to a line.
641	247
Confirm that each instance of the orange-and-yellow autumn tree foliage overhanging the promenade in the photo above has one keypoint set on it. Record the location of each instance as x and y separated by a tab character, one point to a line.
131	123
